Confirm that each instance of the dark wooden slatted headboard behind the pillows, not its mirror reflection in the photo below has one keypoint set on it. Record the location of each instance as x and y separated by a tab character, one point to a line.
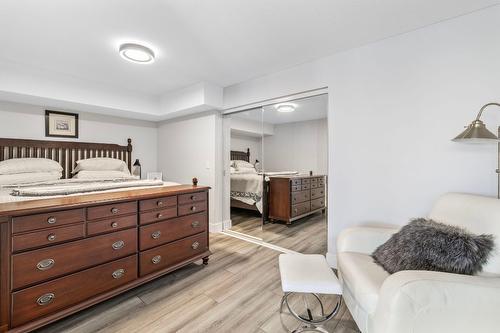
64	152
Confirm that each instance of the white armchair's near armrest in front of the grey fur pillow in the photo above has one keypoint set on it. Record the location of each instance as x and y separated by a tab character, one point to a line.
436	302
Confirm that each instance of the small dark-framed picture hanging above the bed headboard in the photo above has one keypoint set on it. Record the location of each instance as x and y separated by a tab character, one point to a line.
61	124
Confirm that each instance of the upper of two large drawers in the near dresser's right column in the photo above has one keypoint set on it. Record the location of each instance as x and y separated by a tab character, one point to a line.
167	231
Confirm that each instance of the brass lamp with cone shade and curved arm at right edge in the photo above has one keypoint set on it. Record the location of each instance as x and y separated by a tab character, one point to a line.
477	132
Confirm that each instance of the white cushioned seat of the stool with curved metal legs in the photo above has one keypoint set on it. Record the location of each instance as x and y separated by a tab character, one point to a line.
307	273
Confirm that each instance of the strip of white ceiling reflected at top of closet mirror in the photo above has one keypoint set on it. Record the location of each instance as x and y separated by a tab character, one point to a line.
310	108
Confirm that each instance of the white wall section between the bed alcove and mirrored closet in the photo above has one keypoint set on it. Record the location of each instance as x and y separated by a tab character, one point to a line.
189	147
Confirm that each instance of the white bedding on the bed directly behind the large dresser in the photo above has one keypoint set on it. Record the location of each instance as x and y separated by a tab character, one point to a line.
6	191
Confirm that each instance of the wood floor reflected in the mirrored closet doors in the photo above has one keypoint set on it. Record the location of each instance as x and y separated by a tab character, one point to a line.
307	235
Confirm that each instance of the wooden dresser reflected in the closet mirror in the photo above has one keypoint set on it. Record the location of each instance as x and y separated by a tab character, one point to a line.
293	197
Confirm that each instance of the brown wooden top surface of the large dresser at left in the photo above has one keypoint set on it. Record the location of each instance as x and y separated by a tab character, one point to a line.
30	206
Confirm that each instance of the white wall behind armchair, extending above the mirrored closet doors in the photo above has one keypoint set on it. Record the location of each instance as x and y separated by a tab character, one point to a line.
394	106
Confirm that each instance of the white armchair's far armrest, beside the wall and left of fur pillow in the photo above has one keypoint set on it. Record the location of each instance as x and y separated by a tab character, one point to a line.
363	239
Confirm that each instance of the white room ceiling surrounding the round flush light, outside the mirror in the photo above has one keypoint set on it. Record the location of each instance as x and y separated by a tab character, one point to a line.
222	42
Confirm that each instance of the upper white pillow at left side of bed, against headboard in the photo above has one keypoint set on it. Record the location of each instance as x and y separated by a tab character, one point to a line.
28	165
